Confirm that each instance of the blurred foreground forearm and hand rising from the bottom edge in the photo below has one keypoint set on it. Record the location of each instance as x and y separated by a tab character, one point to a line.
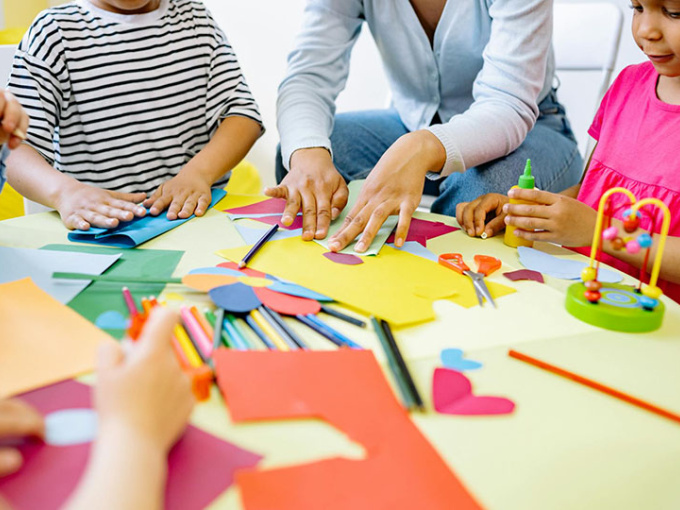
143	401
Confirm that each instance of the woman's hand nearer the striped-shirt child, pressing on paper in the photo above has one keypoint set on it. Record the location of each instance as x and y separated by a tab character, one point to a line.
315	186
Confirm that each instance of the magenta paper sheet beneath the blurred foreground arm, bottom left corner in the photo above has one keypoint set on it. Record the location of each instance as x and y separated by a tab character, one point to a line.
200	466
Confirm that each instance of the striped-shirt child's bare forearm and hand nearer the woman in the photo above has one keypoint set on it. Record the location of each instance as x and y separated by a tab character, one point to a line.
189	191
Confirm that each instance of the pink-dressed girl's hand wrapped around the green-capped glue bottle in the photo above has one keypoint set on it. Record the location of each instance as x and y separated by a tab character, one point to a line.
558	218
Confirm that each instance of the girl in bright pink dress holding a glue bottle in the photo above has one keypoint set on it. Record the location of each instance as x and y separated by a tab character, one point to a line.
637	129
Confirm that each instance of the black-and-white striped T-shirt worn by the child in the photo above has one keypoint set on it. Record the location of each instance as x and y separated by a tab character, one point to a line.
123	102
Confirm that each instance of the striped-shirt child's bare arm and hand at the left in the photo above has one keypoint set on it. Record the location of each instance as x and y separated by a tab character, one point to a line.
80	205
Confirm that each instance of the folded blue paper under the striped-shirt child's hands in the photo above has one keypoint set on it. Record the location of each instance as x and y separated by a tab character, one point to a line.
133	233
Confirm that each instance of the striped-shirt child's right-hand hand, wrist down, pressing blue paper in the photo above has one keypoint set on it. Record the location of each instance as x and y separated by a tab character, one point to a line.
183	195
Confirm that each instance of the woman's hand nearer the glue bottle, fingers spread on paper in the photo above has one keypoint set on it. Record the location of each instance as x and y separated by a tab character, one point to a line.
394	186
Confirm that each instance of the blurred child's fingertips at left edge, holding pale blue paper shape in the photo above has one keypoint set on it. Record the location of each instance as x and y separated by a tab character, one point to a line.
17	420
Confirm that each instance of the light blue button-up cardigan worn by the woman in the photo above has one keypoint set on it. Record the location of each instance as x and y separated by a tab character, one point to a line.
490	66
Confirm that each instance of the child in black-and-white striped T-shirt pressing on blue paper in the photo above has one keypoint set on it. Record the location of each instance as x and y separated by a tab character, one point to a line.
128	98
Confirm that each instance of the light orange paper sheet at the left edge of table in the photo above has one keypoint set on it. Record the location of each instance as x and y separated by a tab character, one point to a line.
41	340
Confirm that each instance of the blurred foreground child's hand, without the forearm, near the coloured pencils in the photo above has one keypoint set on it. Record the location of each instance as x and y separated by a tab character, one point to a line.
144	398
